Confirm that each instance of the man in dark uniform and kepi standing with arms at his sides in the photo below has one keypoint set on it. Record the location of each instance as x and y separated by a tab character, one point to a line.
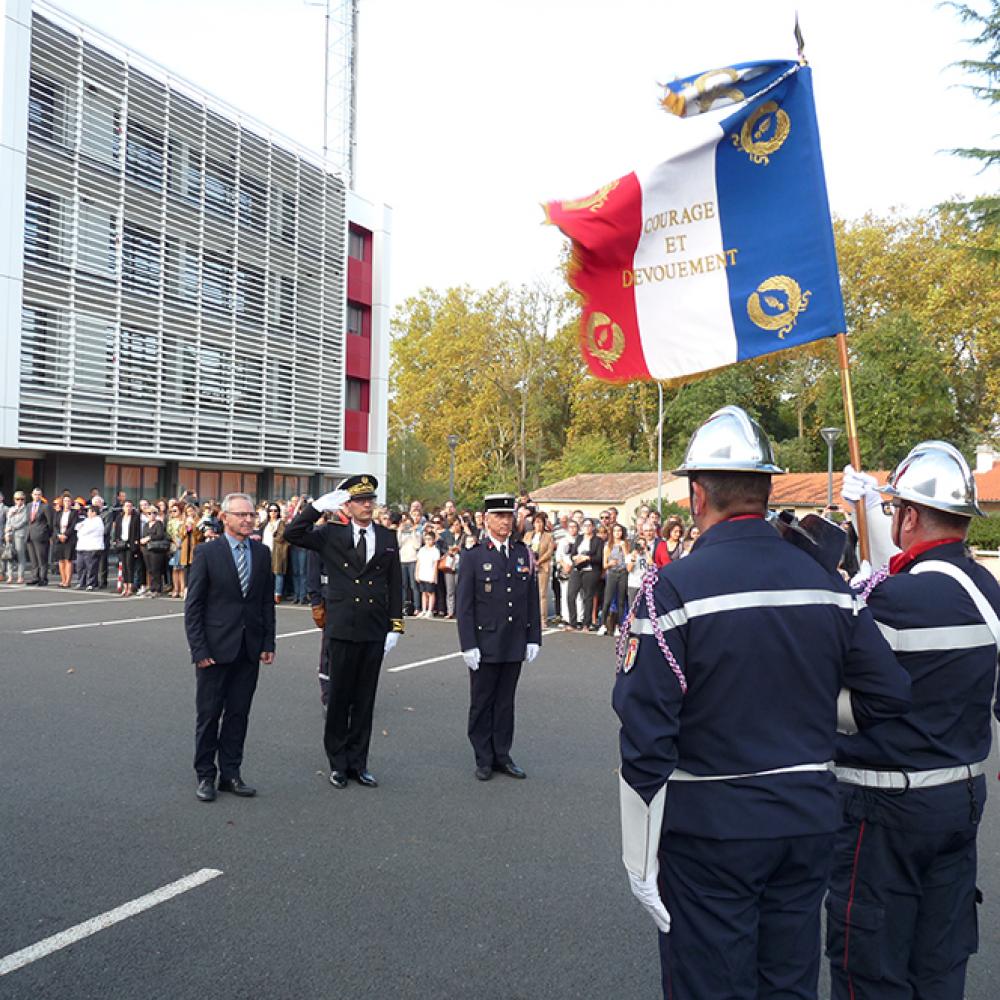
498	628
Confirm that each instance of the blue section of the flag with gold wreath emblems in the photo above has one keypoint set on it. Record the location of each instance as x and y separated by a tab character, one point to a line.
784	287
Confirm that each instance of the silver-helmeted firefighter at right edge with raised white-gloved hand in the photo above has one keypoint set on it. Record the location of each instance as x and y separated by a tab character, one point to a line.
902	905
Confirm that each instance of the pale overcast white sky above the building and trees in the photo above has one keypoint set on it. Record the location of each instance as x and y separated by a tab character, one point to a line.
472	112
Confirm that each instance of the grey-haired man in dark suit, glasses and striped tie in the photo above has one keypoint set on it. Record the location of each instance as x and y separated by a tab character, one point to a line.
229	619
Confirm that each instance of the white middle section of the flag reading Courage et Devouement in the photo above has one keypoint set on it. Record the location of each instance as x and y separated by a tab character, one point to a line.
685	323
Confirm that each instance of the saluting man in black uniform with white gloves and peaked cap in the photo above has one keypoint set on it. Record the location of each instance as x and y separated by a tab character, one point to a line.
364	617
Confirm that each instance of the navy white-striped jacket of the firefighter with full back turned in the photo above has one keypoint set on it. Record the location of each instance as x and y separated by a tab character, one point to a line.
766	638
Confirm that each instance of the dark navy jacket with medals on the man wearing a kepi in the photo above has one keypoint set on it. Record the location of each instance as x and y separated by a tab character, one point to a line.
496	602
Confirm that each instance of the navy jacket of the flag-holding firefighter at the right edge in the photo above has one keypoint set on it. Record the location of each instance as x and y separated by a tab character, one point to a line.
941	639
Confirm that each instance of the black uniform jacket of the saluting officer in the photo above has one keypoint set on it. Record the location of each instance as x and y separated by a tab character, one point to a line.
362	603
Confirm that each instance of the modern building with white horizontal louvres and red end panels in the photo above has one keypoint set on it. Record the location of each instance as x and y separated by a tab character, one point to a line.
187	298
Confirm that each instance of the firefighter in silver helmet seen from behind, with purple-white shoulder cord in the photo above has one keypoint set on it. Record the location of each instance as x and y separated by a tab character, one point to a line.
729	689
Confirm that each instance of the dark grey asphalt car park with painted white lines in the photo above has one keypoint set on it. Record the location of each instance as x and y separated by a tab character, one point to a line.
431	887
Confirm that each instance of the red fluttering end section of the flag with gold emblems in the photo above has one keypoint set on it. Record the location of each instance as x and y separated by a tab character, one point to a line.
605	230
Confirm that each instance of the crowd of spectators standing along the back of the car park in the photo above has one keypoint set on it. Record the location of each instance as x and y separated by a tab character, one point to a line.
589	569
